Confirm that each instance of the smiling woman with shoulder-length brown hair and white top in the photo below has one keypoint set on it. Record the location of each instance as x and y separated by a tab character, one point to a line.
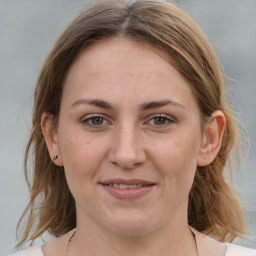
131	133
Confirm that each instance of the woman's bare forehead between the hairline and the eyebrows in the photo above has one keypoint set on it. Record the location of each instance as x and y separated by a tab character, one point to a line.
122	67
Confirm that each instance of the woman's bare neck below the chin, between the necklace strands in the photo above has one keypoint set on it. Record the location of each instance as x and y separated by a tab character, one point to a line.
172	240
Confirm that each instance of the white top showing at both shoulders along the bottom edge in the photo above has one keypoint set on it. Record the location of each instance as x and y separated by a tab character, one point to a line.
232	250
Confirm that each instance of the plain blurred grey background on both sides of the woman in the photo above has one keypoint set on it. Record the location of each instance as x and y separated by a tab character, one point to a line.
28	30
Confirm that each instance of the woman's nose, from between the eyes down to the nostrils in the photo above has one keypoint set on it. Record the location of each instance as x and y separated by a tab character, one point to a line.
127	151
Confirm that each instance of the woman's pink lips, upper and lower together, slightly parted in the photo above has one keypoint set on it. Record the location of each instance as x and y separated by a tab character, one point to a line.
129	193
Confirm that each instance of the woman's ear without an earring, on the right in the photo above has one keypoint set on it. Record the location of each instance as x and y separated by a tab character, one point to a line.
212	138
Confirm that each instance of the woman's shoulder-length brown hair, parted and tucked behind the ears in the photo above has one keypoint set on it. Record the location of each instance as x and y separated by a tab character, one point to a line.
213	208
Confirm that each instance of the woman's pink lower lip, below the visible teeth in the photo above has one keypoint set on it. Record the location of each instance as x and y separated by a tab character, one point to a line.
131	193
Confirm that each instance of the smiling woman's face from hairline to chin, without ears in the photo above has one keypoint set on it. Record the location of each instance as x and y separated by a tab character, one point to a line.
129	137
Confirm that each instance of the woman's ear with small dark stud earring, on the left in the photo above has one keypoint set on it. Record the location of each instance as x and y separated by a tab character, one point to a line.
51	138
